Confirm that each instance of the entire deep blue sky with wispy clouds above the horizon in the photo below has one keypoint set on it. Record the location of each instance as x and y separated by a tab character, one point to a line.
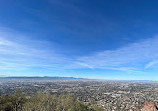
96	39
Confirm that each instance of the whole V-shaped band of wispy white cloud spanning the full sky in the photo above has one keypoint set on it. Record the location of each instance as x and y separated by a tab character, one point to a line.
19	54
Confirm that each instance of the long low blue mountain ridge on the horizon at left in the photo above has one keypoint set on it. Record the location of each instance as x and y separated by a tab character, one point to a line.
45	77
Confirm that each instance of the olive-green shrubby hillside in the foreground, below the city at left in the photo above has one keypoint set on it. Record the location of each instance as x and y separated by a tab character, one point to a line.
43	102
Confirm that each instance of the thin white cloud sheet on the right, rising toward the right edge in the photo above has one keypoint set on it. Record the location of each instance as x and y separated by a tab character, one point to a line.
133	55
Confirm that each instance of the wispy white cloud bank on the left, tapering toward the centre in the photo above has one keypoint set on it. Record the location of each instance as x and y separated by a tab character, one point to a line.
21	53
